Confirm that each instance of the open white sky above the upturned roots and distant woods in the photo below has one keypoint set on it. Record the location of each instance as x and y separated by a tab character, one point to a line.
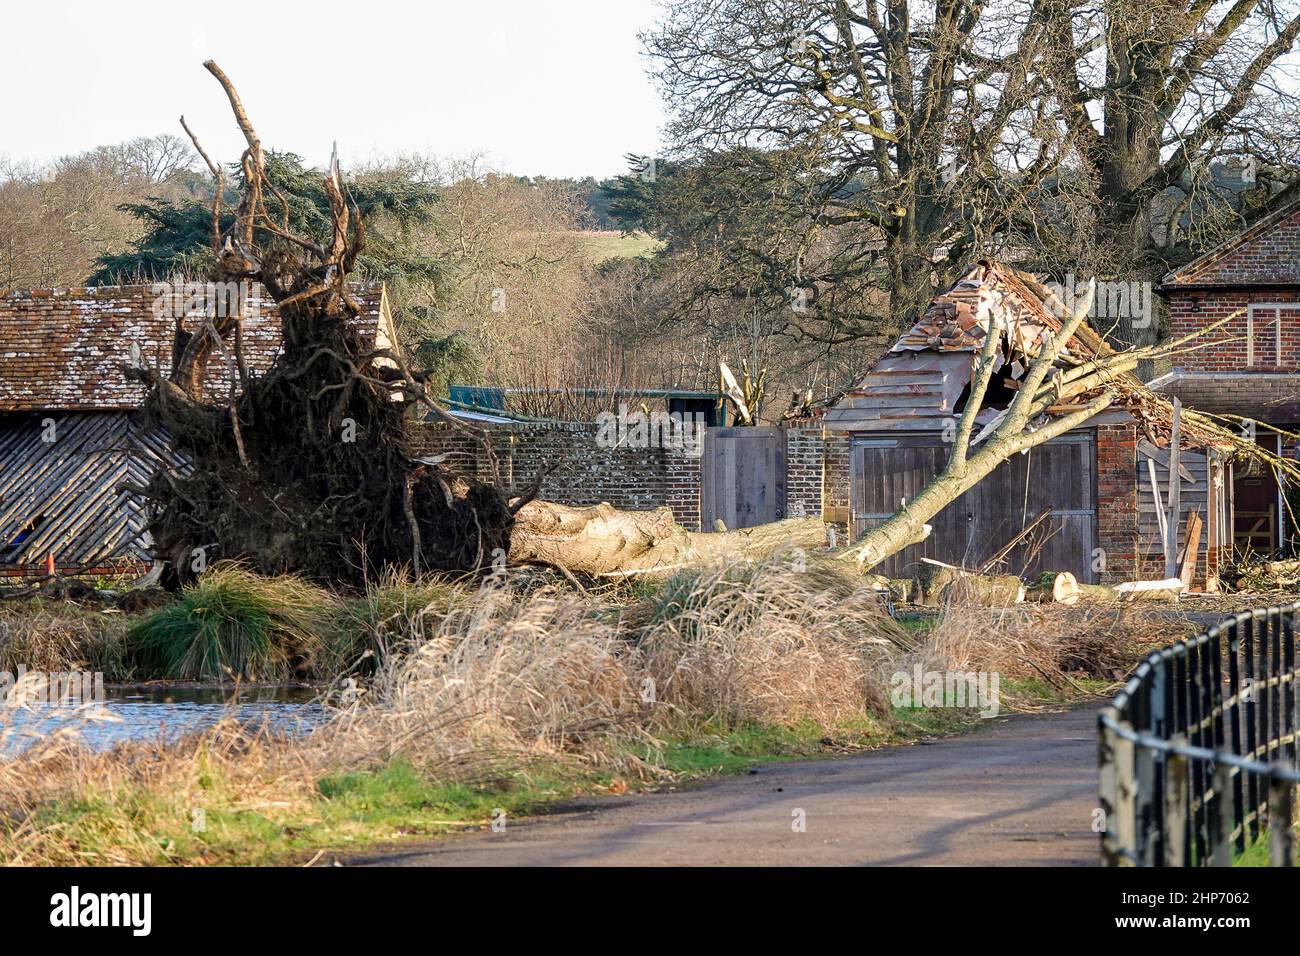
553	88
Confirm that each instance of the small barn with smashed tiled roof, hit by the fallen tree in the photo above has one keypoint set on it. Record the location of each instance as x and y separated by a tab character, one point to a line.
1093	491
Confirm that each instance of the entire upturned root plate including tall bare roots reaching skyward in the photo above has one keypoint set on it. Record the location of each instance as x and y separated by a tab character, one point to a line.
307	466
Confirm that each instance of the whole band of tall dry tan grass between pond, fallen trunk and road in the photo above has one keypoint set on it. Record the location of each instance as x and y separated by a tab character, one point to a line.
486	687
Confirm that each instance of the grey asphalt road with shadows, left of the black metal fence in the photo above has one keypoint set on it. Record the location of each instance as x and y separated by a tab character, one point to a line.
1019	791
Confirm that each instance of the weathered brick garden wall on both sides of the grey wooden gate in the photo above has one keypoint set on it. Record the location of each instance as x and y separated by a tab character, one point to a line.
636	479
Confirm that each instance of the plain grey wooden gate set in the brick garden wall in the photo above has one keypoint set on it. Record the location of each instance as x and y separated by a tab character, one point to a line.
743	477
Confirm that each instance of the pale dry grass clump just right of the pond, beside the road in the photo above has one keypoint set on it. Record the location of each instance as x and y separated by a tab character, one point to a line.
499	681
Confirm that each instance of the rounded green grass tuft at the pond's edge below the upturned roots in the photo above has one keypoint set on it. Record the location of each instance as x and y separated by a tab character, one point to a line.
236	625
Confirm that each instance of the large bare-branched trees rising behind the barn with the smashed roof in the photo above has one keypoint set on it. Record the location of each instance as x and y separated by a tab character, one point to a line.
1058	133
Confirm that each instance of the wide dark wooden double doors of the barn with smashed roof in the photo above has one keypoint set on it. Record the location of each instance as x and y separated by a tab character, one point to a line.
1059	477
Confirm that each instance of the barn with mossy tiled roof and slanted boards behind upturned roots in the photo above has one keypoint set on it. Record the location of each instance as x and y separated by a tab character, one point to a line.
71	423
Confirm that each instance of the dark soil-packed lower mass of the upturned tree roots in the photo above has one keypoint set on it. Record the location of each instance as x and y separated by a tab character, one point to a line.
326	485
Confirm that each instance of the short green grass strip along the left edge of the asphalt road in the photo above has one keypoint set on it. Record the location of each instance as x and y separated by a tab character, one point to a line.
353	811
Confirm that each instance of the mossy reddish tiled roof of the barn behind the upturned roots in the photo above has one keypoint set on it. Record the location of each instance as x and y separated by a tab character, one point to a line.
67	348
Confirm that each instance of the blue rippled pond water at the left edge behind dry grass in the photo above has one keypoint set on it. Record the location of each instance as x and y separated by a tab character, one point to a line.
159	715
